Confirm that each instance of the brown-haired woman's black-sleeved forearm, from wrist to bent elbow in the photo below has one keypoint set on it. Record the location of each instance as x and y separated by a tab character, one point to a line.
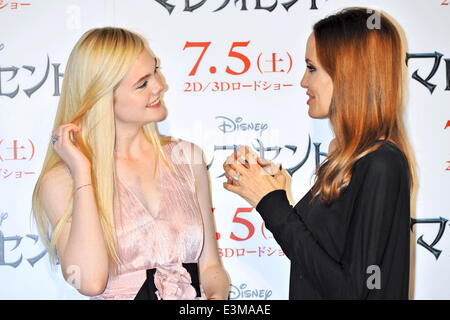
332	278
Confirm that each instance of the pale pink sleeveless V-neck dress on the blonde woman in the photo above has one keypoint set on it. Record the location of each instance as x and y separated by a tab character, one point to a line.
163	239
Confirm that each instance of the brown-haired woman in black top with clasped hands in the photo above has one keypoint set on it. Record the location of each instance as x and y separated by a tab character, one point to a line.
348	237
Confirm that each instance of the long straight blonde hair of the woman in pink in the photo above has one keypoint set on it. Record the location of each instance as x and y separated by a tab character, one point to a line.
96	65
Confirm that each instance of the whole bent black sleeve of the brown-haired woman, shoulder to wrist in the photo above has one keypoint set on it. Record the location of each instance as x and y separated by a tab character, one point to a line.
367	236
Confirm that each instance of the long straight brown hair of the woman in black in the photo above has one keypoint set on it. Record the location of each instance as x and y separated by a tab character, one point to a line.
368	70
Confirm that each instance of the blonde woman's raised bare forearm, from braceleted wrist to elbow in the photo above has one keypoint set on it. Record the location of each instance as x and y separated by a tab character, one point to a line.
85	251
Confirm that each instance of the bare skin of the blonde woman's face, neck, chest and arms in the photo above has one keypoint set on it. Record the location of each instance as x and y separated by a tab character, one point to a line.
81	243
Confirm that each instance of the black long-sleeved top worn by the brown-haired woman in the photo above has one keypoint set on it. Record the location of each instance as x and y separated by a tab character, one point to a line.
356	248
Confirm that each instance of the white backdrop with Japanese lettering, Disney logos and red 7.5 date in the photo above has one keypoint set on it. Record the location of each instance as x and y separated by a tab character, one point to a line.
233	70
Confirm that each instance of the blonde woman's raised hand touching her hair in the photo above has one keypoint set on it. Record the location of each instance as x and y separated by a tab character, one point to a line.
69	152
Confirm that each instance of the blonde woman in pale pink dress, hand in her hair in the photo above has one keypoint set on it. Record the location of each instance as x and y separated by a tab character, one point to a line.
125	210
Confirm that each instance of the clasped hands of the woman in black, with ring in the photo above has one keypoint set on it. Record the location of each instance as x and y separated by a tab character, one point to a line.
252	177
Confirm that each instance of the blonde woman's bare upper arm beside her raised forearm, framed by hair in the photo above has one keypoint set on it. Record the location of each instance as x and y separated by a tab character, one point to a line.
56	191
